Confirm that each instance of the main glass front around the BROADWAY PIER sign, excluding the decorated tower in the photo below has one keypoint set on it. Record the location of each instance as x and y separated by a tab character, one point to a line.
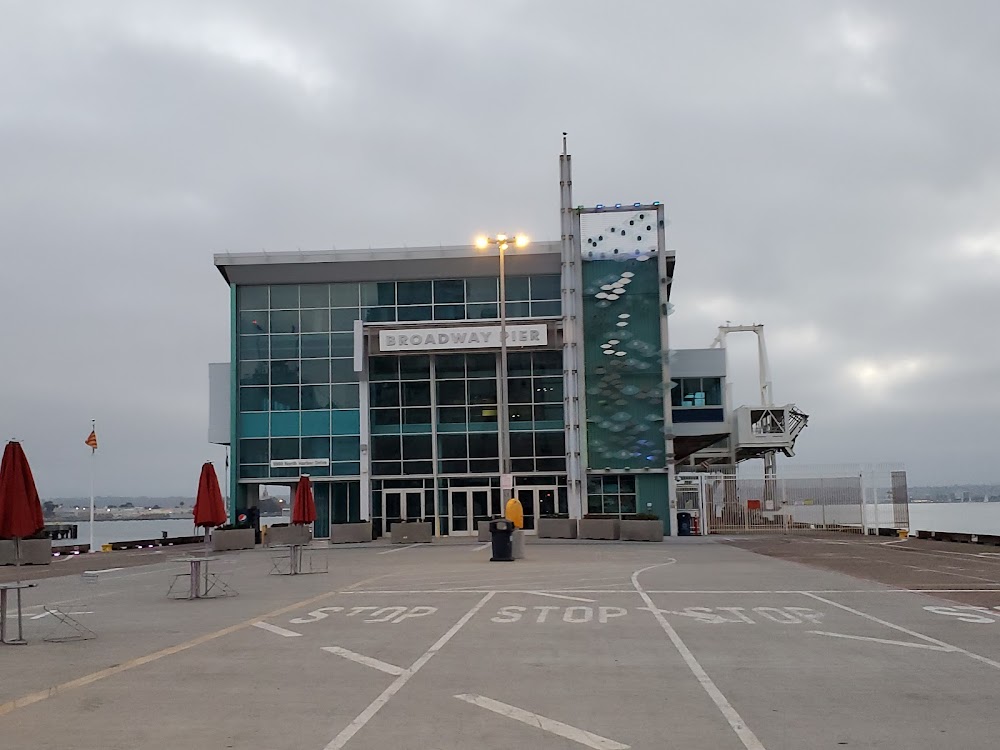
432	417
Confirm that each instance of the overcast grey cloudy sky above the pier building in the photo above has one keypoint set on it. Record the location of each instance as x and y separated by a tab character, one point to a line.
829	169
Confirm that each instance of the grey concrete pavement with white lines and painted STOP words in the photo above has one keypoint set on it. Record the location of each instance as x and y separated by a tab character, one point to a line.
683	644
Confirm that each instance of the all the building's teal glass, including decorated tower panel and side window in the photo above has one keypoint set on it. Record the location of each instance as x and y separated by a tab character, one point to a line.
415	436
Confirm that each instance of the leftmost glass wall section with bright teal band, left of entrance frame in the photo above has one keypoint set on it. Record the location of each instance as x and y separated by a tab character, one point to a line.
297	390
